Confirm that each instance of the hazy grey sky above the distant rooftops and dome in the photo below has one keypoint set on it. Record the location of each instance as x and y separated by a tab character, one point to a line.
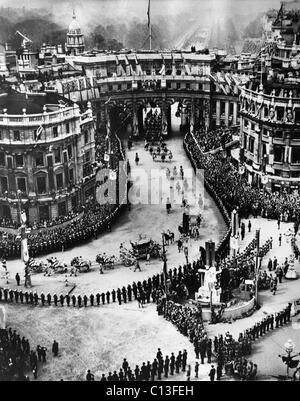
93	12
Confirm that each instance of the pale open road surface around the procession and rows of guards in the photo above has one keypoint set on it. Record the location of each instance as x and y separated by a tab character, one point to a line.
99	338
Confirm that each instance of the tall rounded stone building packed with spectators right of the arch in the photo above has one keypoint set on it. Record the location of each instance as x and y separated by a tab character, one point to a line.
270	110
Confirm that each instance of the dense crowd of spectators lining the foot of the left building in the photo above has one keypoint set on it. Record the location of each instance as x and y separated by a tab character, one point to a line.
63	232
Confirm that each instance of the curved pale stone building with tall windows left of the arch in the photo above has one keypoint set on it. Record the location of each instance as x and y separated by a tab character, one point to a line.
46	152
